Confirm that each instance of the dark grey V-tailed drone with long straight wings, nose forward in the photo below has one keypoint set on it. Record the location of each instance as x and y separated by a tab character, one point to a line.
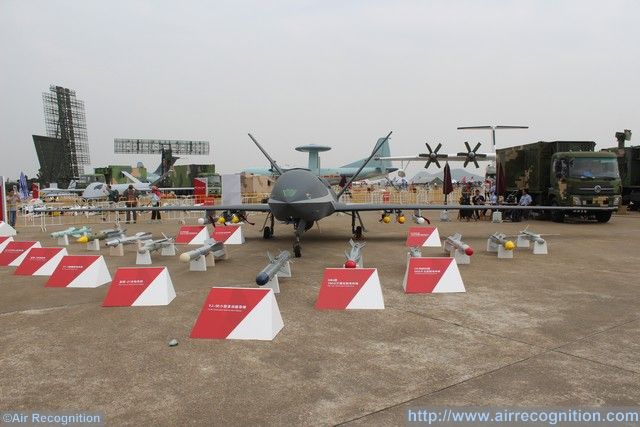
301	198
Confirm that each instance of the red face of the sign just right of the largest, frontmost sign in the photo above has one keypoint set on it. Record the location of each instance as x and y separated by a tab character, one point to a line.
340	286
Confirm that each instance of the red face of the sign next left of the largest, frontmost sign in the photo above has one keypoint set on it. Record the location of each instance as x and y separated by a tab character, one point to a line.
128	284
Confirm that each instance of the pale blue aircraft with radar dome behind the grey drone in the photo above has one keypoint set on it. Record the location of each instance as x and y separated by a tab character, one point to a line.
338	176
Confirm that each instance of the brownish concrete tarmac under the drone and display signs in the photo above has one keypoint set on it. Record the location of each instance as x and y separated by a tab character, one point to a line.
561	330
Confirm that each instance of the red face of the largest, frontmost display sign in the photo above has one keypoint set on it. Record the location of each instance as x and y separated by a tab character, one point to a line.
223	311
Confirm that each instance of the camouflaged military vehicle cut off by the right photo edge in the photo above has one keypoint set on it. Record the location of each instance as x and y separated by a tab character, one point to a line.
629	166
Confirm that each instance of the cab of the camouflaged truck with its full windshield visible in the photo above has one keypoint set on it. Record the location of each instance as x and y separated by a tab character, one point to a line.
585	179
